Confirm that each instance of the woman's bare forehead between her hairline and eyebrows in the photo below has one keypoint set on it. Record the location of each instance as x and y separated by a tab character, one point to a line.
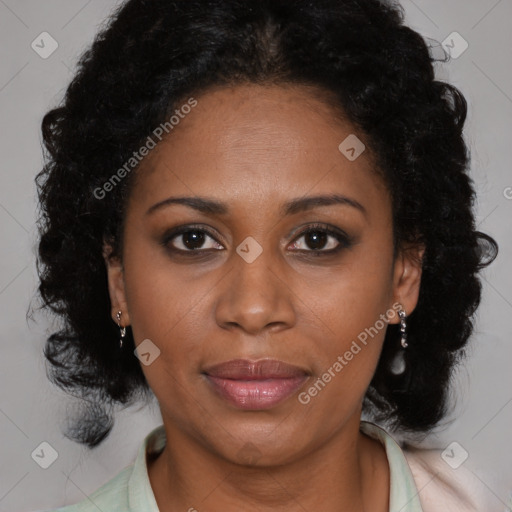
260	144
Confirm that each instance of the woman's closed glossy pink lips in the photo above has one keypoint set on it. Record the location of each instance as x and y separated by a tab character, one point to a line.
255	385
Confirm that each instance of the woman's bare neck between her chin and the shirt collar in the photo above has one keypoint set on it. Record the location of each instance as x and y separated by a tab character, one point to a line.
349	472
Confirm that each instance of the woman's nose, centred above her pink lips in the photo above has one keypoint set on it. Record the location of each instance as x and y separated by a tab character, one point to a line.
255	297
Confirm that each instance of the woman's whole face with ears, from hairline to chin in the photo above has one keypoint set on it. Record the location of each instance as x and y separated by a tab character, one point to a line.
246	282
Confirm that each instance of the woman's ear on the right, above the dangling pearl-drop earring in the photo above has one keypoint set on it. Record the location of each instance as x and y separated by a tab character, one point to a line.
407	278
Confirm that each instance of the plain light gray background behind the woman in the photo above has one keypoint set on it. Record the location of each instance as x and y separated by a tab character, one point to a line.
32	410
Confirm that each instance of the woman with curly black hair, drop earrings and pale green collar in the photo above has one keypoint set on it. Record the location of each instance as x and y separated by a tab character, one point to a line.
260	212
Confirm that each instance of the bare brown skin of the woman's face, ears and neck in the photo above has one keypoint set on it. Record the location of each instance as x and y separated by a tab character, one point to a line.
254	148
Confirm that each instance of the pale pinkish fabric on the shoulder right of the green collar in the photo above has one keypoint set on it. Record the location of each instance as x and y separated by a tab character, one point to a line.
451	488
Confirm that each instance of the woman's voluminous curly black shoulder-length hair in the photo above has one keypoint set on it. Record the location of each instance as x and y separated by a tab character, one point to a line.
380	73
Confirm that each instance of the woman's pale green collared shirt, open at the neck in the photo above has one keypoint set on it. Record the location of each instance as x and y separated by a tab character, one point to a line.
130	490
